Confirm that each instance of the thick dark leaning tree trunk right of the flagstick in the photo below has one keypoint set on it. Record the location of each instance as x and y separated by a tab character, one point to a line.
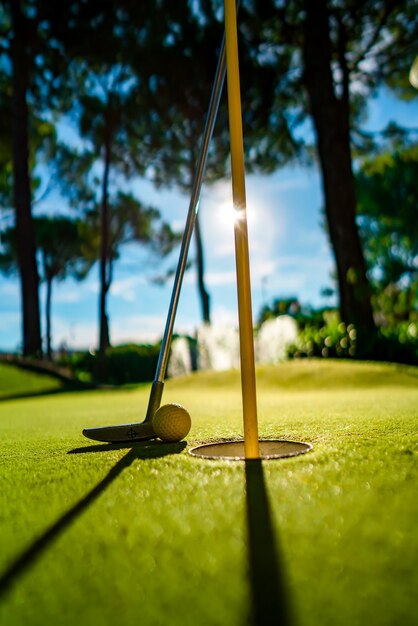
331	122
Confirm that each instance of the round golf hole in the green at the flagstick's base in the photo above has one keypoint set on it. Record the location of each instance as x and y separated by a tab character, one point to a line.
234	450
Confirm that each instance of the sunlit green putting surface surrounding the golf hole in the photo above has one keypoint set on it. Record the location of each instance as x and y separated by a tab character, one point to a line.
153	536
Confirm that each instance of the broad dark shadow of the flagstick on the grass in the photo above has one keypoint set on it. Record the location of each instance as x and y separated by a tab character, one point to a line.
269	594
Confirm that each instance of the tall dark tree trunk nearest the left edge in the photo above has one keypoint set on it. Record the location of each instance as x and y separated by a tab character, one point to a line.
25	235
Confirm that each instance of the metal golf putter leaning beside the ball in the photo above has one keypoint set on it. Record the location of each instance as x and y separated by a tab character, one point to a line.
143	430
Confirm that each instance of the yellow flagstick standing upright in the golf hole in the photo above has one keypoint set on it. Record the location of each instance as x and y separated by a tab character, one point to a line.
241	236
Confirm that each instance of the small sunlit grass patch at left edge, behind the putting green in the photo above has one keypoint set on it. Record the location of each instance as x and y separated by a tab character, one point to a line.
18	382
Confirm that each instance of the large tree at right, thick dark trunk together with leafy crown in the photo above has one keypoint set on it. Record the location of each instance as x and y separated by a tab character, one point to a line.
330	57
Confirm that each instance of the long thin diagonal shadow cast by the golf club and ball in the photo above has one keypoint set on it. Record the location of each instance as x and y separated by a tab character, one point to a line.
35	550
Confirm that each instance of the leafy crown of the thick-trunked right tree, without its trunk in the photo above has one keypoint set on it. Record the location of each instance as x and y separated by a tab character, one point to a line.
371	43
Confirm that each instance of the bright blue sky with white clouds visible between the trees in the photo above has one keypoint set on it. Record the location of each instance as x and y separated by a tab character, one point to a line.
290	256
